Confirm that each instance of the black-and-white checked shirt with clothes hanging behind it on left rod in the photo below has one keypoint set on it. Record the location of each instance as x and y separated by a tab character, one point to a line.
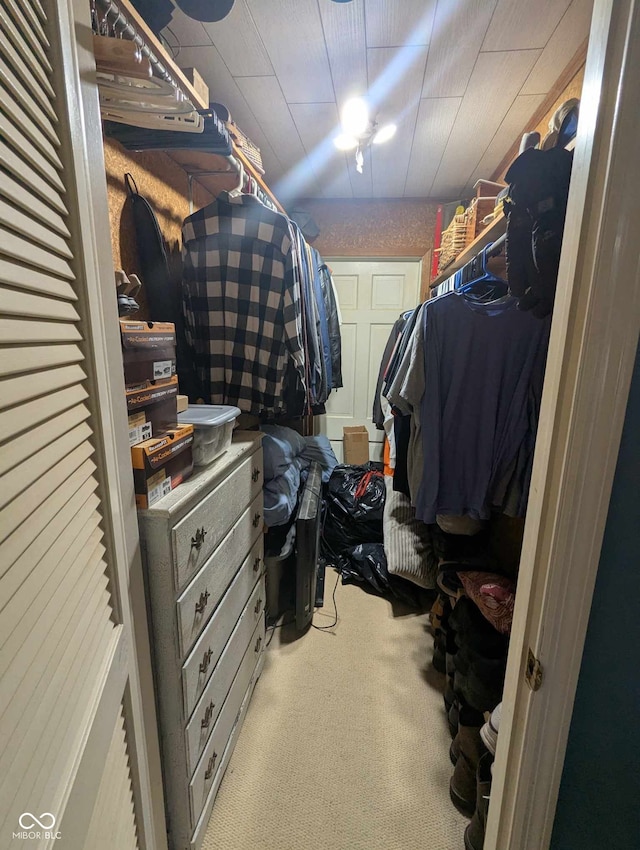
260	311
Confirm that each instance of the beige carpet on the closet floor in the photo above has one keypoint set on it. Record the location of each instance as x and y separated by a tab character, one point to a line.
345	745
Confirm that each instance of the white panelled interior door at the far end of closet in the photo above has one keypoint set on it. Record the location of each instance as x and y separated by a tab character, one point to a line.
372	295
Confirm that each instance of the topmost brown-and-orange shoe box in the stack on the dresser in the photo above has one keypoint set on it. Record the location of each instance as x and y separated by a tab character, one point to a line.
148	351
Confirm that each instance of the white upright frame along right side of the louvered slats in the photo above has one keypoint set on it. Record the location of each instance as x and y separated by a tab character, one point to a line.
76	67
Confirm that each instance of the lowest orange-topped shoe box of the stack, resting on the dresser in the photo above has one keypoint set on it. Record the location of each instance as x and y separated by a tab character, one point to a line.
160	464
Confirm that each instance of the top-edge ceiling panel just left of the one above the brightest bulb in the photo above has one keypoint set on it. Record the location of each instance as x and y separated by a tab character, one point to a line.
292	34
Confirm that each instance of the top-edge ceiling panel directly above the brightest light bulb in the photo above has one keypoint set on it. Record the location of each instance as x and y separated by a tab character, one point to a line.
344	32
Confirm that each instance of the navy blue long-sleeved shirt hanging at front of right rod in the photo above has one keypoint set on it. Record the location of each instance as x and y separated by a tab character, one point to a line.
484	369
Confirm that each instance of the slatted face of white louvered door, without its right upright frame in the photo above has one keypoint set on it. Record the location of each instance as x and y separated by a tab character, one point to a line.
62	646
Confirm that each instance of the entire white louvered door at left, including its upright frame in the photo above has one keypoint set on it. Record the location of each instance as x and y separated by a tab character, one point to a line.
68	669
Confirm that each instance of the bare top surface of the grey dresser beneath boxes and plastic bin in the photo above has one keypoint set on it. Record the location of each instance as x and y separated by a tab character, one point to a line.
204	479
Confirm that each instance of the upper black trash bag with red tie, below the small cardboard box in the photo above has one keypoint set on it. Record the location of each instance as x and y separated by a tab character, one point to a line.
354	505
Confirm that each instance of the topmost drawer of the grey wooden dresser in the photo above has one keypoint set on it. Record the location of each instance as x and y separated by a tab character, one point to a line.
196	536
